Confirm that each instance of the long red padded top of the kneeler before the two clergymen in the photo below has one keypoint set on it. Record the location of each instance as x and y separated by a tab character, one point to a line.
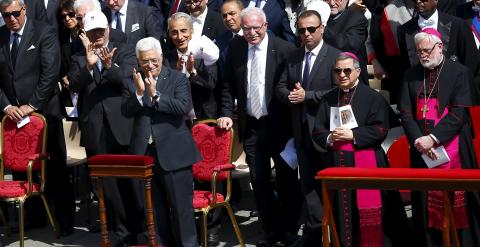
400	173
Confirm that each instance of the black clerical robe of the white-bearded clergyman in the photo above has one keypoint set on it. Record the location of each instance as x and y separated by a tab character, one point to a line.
449	84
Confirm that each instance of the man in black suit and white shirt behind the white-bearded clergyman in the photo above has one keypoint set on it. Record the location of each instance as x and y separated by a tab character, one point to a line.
458	42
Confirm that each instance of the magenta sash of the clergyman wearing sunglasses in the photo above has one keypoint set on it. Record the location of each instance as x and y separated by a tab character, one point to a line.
369	202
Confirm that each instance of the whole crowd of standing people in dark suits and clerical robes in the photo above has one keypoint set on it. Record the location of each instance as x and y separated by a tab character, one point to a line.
290	74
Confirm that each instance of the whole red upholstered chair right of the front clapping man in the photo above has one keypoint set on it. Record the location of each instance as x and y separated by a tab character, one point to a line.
215	145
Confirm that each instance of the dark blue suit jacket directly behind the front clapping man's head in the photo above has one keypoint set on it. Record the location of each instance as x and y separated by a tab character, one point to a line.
140	22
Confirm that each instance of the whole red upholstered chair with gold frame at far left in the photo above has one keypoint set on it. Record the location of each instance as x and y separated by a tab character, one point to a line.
23	150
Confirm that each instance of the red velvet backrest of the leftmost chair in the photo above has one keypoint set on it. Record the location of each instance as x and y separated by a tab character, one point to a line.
19	144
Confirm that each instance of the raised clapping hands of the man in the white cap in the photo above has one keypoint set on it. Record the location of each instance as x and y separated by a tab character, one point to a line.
93	54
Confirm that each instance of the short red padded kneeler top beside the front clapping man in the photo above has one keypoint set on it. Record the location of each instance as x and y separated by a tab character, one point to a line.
120	160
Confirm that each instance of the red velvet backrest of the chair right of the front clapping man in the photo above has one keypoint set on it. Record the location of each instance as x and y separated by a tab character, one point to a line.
215	146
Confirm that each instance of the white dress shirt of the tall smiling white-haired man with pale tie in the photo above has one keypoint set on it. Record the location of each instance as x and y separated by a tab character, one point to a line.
262	49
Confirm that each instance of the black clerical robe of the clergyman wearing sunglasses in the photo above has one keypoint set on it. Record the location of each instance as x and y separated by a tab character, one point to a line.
373	119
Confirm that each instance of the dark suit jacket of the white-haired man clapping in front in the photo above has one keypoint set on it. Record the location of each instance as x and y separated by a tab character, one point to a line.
164	121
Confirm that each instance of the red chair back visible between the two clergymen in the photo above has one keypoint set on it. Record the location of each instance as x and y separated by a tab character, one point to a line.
399	153
